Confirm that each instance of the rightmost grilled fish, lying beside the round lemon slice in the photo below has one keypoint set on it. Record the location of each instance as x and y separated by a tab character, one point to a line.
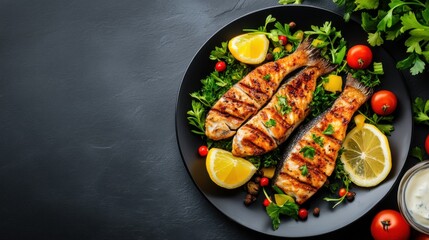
310	158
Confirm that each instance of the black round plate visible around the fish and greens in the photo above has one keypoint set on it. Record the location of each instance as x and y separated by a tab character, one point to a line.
230	202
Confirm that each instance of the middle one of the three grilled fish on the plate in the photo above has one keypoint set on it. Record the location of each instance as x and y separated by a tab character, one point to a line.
273	124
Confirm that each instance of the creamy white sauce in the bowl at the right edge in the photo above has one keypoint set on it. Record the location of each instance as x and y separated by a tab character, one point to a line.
417	197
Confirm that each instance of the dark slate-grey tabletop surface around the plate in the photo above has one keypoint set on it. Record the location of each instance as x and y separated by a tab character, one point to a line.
87	101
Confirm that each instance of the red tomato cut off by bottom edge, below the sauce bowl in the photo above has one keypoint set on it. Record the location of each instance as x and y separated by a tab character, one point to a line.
389	224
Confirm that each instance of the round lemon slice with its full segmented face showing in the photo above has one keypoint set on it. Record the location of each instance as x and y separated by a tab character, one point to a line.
367	156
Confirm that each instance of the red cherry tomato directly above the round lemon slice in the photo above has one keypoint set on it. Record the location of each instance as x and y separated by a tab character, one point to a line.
384	102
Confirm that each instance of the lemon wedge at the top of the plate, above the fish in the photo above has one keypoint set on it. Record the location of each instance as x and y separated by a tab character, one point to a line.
249	48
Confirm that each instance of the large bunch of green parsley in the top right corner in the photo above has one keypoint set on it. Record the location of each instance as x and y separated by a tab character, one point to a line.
392	20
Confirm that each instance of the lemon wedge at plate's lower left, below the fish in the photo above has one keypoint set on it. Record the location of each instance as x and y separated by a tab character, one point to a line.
228	171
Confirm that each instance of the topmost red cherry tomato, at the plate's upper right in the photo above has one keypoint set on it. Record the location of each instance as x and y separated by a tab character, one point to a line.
359	57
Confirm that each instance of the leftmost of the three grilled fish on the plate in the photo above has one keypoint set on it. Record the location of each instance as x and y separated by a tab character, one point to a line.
247	96
